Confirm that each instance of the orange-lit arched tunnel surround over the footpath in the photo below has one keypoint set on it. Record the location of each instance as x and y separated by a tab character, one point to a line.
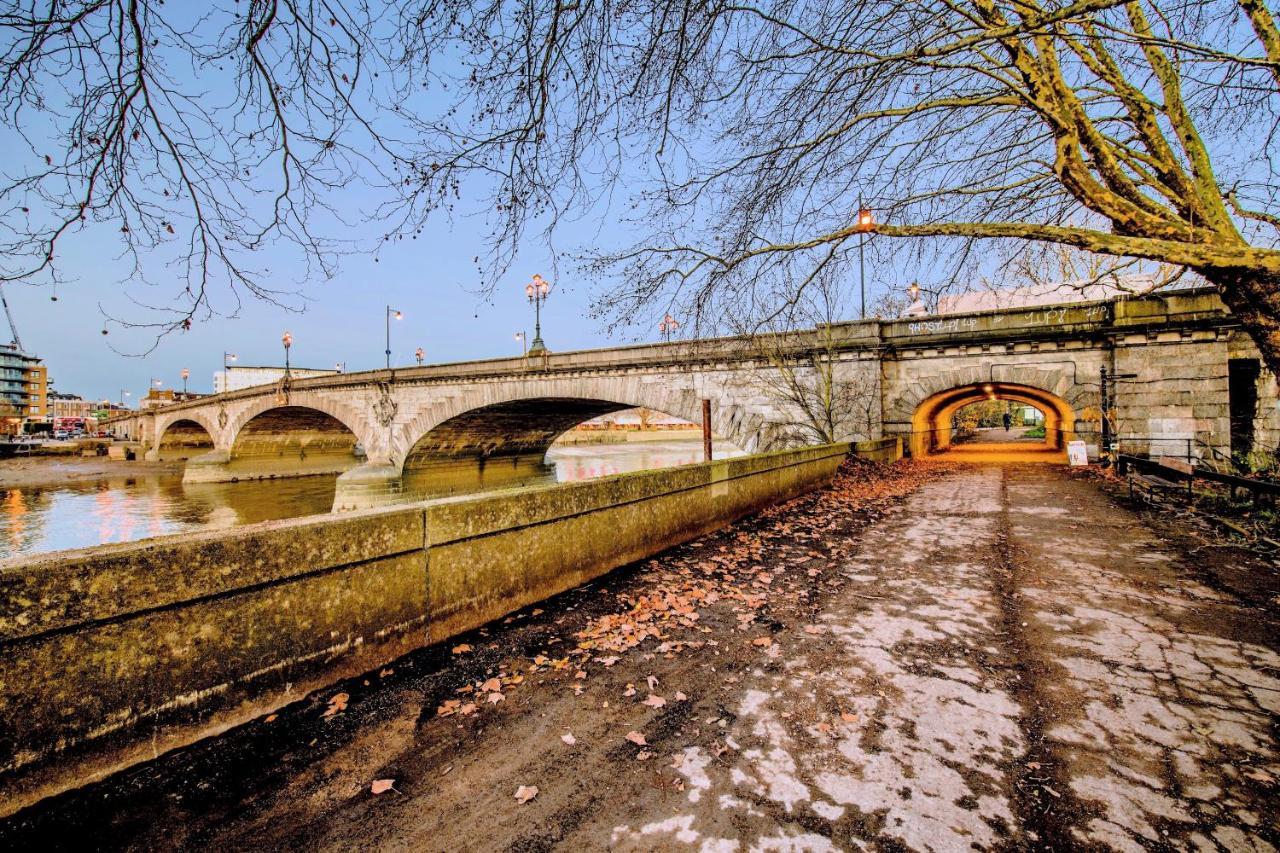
932	422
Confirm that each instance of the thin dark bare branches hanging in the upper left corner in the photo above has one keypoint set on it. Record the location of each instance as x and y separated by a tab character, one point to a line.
196	133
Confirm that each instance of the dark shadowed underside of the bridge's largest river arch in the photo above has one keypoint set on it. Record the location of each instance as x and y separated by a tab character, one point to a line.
511	428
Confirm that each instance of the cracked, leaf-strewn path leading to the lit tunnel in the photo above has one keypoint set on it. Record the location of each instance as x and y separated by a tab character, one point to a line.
1005	662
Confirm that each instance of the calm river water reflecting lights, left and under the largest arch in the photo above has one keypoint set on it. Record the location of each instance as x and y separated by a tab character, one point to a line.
124	509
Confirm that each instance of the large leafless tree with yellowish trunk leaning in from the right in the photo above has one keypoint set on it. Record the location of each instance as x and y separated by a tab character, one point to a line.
749	133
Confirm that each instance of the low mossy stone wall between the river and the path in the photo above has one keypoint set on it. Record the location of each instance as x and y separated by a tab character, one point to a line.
115	654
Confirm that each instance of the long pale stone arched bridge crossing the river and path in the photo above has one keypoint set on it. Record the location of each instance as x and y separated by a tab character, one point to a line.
1196	380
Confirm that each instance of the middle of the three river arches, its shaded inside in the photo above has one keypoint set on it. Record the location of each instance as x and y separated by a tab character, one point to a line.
294	441
